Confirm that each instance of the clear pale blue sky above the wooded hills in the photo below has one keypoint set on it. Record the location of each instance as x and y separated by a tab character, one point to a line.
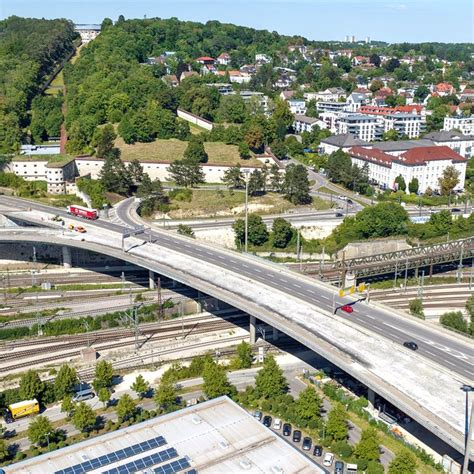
387	20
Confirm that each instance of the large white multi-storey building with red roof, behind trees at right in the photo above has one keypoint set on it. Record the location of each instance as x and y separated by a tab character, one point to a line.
426	164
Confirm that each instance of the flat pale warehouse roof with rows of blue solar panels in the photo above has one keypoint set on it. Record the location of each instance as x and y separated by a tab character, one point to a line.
215	436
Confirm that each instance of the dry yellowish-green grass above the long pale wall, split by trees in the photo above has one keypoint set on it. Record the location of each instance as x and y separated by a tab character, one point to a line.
167	151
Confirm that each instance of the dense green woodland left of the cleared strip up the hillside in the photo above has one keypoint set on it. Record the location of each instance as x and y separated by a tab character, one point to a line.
30	49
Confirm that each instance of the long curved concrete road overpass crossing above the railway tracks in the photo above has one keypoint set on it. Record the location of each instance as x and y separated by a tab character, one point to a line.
366	343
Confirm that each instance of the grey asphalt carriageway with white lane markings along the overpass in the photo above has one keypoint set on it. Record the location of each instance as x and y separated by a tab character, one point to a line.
440	348
